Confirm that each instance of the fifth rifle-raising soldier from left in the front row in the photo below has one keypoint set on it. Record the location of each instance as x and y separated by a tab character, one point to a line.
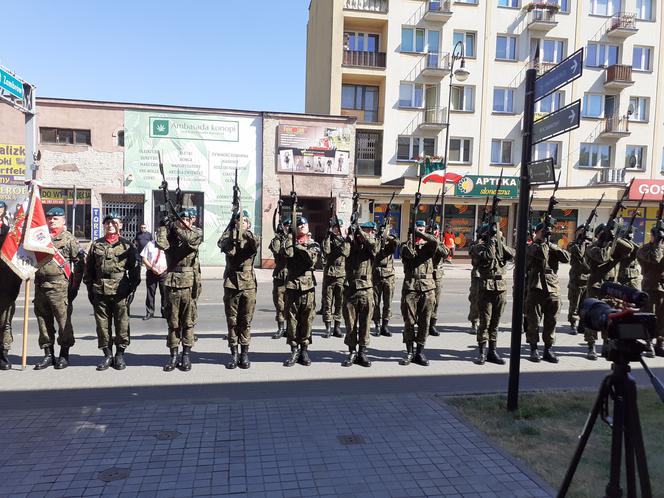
418	293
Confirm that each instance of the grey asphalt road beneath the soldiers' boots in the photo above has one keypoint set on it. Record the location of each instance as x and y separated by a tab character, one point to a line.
451	355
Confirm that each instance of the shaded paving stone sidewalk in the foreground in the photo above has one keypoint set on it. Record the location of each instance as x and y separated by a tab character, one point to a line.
370	446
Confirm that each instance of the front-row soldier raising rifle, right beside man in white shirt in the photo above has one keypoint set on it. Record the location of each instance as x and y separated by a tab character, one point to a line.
180	241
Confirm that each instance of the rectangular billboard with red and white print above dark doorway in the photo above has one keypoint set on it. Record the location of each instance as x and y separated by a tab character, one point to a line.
314	149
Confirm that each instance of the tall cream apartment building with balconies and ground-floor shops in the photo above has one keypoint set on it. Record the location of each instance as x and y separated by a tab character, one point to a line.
389	63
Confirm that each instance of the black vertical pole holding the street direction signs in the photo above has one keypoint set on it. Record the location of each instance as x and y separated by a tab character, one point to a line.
521	240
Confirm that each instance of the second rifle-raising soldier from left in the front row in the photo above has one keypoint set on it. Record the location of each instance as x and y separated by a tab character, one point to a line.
239	288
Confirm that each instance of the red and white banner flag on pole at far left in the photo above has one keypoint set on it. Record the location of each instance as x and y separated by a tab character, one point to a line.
28	245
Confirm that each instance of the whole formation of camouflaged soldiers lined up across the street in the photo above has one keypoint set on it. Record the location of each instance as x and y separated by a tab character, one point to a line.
357	288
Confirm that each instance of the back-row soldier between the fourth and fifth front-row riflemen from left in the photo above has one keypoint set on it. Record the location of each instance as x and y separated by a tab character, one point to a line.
383	282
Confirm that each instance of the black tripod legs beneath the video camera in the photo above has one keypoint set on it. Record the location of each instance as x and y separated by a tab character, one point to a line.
625	428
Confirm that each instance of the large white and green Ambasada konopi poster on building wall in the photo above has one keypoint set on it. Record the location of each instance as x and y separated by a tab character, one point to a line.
204	150
